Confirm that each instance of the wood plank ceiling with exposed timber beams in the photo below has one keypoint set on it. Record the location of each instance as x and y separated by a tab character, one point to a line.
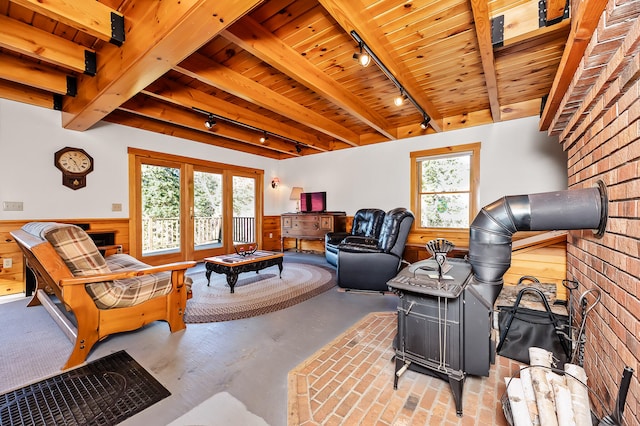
283	69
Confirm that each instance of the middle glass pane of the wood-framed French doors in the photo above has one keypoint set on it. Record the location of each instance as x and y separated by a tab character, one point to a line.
207	210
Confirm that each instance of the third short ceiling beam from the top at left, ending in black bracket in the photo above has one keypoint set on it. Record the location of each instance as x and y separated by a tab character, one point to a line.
36	75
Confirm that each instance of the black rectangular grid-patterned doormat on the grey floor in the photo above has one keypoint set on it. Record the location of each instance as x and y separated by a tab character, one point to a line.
103	392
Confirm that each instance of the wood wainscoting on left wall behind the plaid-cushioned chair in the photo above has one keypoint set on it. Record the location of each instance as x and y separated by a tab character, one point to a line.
12	280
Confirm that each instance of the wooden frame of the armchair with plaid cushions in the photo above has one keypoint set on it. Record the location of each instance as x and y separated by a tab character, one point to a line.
94	324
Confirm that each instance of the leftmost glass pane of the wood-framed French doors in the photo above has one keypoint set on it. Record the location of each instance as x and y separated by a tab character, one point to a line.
160	199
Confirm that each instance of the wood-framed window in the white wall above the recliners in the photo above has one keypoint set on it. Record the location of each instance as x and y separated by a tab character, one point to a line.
444	186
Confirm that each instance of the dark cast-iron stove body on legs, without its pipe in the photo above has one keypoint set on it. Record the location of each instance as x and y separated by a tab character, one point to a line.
444	324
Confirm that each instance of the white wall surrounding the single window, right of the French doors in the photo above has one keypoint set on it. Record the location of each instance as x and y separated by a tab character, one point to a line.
515	158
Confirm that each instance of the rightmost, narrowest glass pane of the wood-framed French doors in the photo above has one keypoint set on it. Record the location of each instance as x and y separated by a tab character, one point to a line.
244	209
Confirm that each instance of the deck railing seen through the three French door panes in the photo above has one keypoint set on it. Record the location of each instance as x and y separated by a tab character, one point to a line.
164	233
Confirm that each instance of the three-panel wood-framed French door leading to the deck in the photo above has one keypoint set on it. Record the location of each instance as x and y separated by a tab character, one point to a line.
189	209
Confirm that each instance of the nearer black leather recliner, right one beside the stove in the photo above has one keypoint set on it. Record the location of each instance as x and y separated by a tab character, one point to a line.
369	267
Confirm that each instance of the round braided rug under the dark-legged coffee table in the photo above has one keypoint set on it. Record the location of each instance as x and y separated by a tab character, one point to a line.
255	294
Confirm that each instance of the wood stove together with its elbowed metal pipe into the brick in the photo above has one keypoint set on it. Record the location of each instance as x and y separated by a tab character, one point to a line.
445	305
